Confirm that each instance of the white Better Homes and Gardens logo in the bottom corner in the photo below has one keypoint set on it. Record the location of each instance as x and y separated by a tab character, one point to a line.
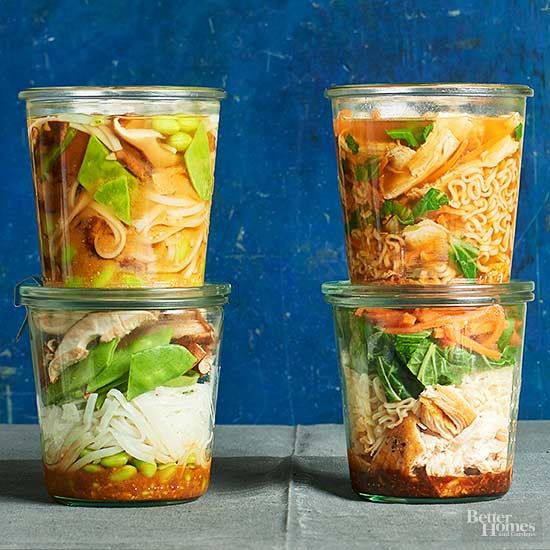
489	524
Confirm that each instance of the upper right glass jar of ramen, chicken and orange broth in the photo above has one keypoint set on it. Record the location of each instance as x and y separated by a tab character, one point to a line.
429	180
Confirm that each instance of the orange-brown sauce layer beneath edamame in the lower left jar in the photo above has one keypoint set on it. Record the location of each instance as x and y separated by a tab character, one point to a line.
171	484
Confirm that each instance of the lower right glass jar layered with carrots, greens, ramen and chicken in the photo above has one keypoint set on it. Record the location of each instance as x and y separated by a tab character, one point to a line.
430	381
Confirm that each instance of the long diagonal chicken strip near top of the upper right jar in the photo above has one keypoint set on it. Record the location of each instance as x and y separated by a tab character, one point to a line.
441	143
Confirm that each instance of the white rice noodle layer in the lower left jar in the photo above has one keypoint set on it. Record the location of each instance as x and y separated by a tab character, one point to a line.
163	425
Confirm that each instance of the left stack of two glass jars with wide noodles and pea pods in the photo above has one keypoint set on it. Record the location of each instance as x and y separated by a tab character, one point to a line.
125	334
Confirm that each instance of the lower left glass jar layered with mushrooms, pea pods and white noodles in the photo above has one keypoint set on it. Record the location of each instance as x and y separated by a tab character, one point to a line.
126	384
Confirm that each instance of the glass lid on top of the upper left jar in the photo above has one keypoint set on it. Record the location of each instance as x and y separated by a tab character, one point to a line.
48	94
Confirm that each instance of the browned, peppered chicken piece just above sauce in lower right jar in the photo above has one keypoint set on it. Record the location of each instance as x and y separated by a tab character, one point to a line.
400	449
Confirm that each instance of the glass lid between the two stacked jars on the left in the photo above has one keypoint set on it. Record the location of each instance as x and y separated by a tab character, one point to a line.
42	297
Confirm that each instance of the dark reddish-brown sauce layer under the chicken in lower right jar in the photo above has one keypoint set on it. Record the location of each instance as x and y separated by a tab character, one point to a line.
397	484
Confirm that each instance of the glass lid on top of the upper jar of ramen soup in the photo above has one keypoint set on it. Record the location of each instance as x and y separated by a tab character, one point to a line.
442	89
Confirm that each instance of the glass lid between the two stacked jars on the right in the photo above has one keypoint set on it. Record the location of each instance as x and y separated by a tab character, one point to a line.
343	293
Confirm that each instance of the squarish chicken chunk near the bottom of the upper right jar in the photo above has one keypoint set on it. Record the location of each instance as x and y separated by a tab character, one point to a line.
425	242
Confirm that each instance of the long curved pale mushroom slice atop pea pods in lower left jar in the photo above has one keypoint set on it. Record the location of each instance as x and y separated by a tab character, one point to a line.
105	325
